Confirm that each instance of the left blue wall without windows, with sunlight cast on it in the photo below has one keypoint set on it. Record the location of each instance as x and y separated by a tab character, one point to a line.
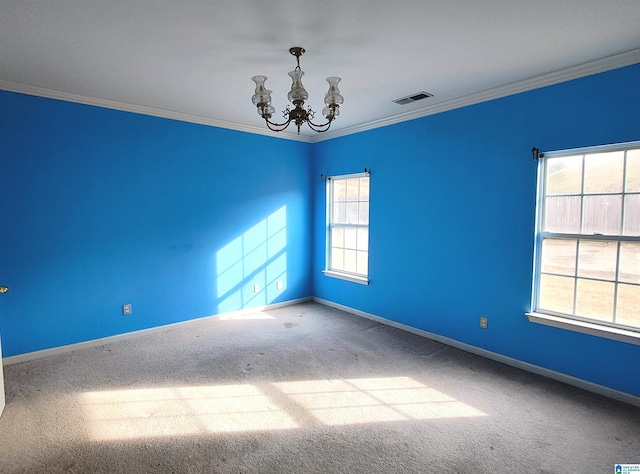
103	208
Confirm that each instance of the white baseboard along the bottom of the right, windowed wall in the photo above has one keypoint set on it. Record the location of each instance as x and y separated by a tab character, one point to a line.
552	374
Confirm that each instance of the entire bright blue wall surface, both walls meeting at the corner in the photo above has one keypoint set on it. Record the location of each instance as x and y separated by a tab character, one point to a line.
103	208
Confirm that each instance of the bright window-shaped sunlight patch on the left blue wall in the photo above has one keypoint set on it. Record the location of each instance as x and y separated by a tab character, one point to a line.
255	259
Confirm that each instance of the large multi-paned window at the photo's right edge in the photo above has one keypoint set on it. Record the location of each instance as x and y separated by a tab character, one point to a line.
588	237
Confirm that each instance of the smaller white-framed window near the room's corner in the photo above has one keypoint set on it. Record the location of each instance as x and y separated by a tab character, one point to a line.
348	227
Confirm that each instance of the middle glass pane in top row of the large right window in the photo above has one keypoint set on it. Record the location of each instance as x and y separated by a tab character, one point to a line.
603	172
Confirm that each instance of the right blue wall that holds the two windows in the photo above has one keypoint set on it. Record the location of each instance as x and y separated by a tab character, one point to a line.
452	219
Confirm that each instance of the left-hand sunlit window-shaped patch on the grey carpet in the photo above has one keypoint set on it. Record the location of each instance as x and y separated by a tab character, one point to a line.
181	411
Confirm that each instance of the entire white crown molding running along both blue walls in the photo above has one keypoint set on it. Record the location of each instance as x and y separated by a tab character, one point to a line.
556	77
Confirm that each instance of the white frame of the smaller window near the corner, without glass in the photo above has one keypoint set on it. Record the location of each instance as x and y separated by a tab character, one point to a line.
361	278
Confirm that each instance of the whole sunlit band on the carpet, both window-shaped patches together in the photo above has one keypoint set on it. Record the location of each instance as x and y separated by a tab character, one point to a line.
197	410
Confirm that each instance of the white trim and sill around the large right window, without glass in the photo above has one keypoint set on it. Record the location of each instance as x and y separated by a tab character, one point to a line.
592	328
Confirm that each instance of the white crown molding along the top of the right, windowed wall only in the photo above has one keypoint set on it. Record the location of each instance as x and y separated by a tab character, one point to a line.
549	79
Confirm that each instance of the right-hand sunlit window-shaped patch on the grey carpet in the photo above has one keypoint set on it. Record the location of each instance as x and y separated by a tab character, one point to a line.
354	401
